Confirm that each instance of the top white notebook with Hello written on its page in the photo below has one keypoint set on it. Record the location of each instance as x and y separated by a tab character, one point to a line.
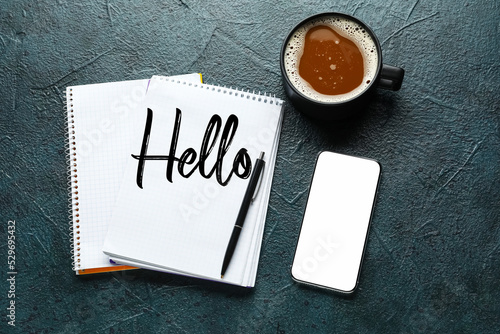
177	206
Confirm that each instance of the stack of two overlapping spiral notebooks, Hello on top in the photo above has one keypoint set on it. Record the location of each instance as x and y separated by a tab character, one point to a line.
158	171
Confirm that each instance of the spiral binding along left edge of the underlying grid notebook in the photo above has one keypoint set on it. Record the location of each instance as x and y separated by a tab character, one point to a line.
73	210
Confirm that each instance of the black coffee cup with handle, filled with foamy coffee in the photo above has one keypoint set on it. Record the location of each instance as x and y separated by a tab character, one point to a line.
331	63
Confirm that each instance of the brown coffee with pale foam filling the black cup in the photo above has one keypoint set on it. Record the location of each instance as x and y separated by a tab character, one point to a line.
331	59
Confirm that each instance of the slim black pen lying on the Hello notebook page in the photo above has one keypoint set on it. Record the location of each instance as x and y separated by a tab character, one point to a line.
247	199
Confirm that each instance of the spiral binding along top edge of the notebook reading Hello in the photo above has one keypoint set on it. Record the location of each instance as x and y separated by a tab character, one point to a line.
259	97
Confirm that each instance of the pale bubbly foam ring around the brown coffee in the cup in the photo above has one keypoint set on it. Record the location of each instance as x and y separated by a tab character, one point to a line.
347	28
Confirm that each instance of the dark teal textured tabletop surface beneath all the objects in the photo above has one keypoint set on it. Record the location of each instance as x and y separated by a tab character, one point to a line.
432	263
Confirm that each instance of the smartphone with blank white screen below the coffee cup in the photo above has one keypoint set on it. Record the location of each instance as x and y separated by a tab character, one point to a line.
336	221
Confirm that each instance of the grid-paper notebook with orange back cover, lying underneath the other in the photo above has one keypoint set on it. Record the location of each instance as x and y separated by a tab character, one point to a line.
100	119
